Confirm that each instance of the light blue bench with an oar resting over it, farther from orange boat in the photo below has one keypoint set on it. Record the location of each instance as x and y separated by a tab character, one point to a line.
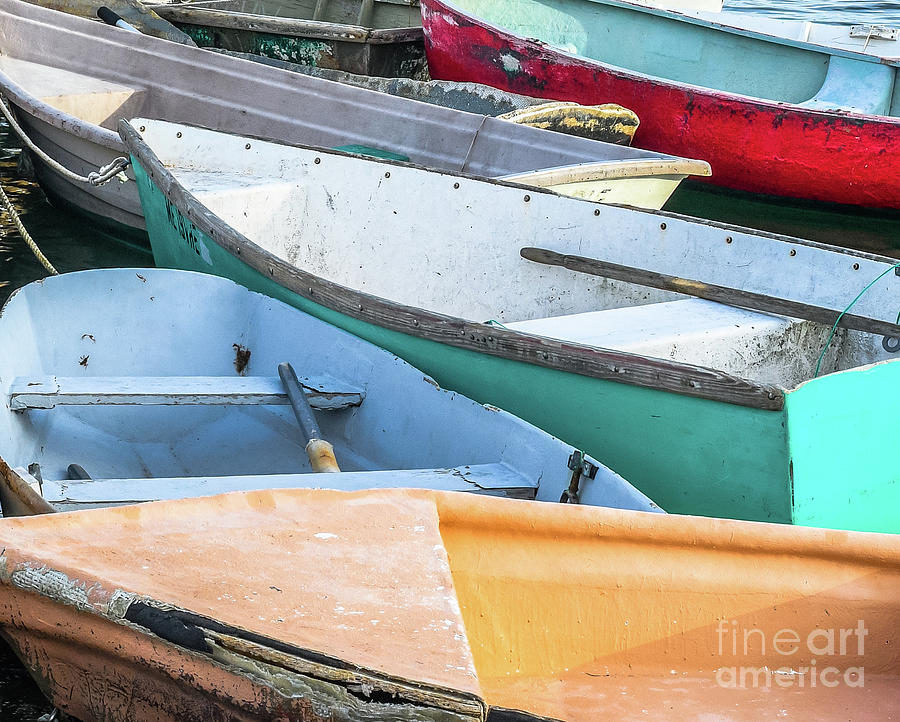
46	392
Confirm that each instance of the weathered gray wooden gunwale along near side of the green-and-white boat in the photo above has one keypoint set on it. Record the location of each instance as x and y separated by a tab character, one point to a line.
599	363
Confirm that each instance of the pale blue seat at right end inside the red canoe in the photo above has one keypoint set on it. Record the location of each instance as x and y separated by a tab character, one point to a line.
855	86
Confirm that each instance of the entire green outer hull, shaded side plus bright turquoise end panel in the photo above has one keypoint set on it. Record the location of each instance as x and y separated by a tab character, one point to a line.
690	455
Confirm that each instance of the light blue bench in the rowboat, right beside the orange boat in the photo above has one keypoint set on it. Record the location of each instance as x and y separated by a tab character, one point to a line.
494	479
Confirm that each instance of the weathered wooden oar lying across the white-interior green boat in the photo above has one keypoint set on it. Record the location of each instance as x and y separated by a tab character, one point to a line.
730	296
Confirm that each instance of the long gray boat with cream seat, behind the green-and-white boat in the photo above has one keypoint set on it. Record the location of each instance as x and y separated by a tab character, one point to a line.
70	99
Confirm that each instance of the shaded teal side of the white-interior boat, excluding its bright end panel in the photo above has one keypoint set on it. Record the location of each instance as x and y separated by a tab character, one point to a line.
679	450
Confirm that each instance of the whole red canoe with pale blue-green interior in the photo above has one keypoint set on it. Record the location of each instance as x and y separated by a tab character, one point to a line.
780	116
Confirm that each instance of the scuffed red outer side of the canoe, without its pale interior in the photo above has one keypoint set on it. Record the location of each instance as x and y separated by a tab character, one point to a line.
757	146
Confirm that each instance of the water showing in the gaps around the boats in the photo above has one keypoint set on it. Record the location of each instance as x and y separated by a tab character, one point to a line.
72	243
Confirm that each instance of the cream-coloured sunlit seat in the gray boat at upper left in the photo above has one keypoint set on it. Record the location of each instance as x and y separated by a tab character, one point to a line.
88	98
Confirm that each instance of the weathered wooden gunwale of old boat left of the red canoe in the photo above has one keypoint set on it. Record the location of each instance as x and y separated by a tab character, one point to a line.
286	26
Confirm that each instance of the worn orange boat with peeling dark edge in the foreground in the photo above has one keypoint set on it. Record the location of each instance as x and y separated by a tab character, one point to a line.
425	605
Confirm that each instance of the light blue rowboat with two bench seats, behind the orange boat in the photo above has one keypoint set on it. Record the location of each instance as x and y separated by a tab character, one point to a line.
164	384
